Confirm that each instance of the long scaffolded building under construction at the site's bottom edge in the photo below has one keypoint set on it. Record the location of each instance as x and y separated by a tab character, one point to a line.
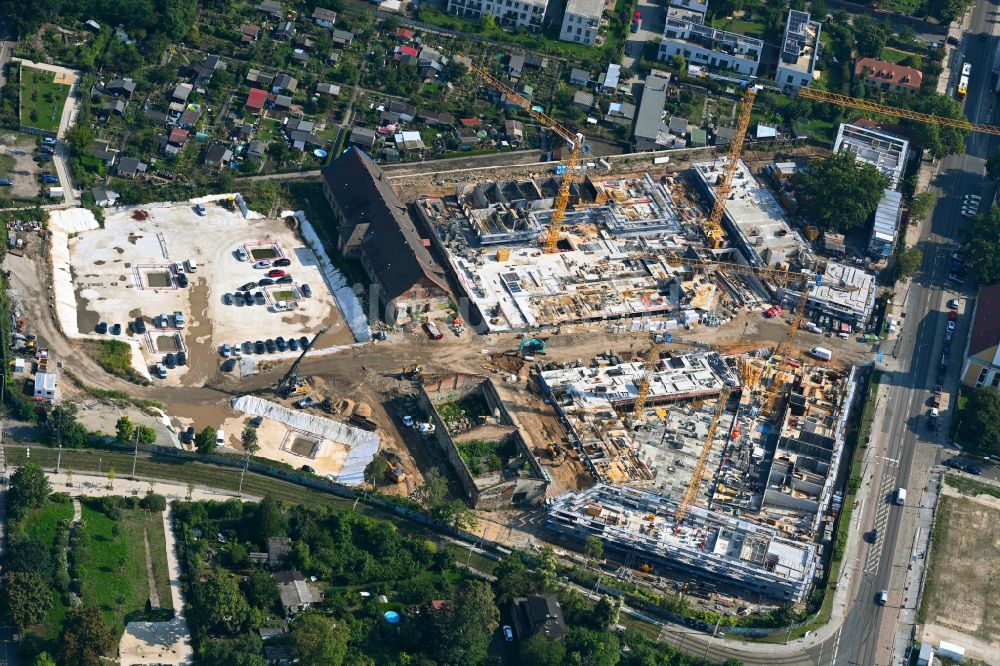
640	525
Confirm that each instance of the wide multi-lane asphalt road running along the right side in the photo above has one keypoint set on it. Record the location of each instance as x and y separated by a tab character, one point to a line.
919	351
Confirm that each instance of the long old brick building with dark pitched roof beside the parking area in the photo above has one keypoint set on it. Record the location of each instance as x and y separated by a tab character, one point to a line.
375	226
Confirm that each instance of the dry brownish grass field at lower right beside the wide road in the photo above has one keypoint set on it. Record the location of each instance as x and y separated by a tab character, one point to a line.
962	592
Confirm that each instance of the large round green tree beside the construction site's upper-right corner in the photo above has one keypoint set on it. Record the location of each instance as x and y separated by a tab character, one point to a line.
839	193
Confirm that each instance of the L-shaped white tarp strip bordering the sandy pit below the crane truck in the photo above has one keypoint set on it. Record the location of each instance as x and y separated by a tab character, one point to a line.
361	444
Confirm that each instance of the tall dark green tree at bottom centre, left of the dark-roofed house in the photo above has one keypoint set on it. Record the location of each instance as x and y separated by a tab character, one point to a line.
466	628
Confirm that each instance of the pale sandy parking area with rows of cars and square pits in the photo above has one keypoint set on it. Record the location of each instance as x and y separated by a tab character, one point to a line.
197	280
